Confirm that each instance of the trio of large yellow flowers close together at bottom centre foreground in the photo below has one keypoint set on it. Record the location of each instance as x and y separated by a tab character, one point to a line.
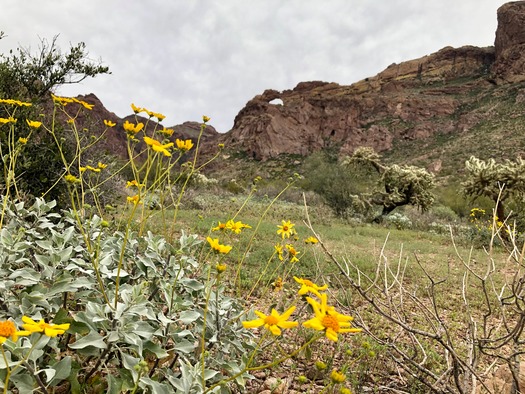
325	319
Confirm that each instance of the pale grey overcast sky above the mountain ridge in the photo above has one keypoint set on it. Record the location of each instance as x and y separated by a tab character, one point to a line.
194	57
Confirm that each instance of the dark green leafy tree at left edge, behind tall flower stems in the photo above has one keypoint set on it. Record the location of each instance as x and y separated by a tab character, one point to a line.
31	78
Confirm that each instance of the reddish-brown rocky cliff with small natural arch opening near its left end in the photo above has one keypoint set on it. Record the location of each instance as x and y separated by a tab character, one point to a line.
411	100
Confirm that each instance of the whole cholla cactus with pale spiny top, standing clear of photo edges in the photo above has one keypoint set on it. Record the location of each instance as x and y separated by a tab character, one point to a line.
400	185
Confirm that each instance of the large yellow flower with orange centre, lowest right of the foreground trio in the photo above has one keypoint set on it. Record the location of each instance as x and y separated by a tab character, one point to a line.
328	320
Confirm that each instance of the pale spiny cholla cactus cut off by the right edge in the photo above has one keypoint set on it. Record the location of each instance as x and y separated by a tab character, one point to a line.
501	182
